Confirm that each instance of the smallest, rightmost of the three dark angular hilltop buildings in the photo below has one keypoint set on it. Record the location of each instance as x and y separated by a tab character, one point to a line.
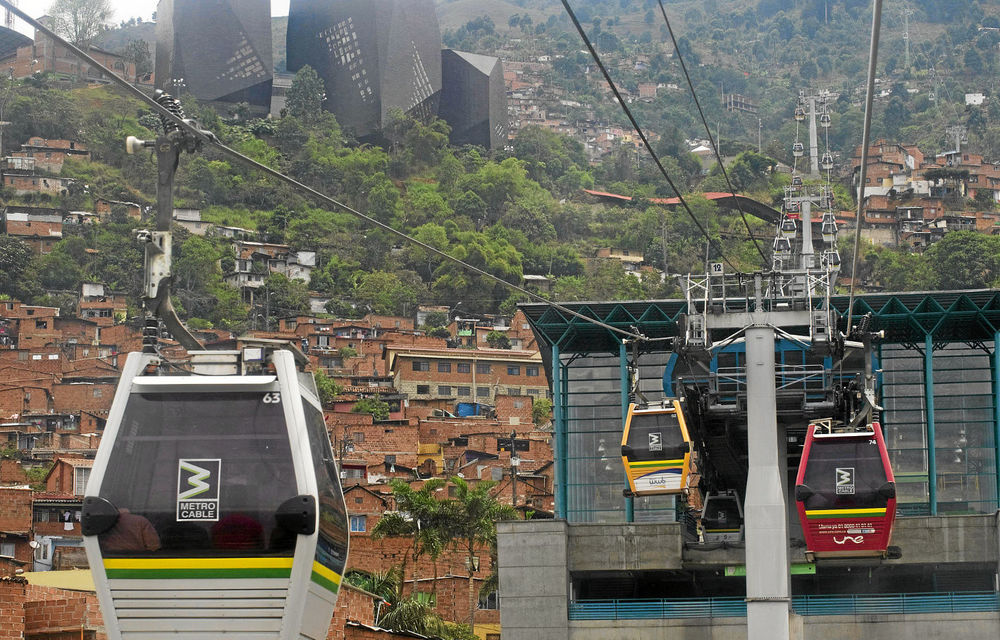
474	99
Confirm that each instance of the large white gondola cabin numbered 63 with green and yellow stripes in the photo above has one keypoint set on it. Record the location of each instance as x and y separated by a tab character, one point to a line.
214	508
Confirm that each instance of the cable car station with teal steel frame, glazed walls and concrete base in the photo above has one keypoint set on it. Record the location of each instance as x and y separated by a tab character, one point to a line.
614	567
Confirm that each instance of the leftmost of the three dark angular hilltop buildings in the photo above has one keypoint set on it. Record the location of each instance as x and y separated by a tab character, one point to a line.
216	50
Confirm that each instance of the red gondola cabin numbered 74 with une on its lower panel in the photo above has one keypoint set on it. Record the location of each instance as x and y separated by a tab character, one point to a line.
845	492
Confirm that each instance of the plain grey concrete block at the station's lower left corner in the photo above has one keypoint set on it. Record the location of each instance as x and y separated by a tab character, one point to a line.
534	579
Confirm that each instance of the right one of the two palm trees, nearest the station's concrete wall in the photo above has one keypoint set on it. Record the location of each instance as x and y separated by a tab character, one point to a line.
472	516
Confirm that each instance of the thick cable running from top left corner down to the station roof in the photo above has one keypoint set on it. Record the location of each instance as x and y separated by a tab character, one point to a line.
210	138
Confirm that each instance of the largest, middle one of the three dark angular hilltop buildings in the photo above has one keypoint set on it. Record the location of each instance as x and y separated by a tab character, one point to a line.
373	55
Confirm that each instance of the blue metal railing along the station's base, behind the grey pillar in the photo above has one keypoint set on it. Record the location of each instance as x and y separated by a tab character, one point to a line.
824	605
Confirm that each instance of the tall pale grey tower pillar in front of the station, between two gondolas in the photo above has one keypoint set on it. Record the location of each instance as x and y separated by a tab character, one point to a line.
768	581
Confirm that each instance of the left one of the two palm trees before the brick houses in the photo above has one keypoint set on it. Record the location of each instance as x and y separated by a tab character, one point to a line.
417	516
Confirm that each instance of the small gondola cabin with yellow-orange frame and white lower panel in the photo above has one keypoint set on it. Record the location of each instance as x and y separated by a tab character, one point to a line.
656	448
